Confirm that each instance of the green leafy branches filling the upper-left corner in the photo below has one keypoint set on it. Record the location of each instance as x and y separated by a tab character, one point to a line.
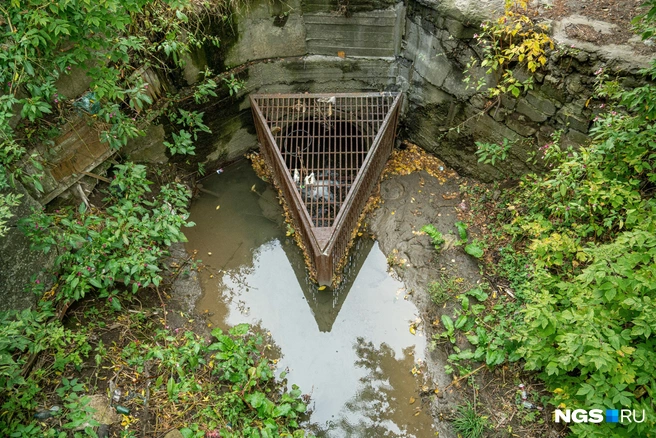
113	42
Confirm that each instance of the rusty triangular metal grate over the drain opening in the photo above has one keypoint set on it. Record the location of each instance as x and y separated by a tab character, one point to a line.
320	147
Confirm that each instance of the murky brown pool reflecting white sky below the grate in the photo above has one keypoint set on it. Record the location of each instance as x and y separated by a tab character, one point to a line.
349	348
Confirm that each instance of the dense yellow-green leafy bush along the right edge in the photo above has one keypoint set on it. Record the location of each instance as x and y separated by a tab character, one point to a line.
588	321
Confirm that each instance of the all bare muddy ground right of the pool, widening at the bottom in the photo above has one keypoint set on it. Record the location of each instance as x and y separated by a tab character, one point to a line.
438	196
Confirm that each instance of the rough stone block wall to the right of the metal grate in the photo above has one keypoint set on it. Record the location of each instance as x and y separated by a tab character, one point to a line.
437	45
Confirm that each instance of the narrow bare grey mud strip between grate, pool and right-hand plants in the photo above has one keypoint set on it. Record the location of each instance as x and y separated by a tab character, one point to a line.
418	190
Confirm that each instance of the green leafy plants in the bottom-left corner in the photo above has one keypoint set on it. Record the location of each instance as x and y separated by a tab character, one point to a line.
22	335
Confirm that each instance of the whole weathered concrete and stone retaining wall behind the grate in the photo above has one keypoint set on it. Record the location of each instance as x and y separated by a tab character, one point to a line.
422	48
